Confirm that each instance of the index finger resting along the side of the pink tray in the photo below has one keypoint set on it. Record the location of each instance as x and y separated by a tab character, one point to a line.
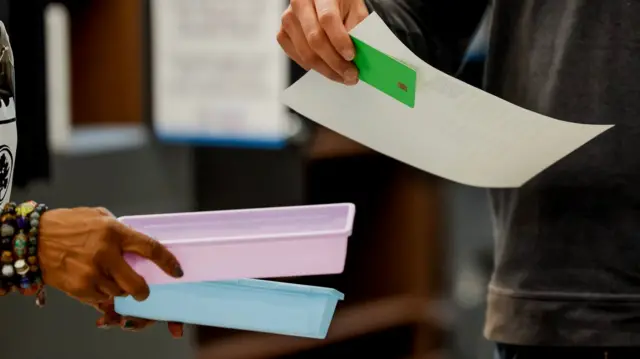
147	247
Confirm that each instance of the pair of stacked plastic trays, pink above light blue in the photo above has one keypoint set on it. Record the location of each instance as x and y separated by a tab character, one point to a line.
219	250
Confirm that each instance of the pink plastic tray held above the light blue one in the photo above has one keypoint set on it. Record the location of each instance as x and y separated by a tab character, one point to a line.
249	243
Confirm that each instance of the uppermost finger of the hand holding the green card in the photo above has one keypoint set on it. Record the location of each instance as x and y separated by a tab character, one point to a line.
331	21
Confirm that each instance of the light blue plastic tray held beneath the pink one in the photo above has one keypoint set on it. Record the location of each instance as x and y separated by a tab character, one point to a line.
246	304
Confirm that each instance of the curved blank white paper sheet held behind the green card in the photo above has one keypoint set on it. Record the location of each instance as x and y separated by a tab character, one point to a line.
455	131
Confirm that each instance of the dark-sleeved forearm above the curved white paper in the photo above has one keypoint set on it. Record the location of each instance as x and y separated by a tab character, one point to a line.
438	31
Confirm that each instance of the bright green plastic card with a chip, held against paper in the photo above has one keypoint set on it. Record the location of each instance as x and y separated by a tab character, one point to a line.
385	73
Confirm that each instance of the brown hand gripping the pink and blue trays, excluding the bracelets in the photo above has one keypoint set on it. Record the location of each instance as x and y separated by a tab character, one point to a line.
81	253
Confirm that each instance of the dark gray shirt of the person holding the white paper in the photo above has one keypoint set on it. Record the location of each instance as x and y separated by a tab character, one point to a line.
567	256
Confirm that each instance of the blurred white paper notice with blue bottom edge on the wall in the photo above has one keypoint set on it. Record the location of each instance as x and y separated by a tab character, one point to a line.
217	72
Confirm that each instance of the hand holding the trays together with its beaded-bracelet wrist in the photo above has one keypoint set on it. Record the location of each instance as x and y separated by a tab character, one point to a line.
79	251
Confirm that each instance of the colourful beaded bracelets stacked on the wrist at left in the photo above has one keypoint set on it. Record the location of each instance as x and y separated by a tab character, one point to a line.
20	270
